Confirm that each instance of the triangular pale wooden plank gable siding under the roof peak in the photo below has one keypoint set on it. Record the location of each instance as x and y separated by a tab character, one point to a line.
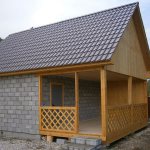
128	58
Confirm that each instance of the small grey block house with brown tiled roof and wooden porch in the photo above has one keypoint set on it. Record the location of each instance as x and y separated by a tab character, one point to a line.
80	77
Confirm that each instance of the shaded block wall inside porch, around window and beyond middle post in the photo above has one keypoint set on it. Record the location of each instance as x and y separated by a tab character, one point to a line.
89	93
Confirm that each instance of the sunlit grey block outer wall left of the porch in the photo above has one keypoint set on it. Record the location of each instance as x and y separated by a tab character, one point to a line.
19	104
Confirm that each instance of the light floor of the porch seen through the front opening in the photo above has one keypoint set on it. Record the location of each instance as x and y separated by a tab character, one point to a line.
92	126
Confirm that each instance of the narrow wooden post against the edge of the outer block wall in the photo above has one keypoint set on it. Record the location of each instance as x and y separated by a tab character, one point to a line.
40	99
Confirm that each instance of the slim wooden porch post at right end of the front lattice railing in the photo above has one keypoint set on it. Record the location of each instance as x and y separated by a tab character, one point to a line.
77	101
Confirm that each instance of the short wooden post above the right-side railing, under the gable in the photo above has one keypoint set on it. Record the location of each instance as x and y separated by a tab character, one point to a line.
130	90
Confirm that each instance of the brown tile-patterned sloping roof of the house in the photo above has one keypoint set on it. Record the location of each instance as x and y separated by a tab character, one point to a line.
86	39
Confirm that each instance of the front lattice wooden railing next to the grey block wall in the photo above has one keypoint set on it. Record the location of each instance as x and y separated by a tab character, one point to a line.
60	119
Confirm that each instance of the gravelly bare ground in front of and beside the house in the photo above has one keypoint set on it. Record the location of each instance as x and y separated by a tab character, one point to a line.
137	141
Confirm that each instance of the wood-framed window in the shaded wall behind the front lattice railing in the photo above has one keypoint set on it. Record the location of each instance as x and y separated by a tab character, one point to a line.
56	94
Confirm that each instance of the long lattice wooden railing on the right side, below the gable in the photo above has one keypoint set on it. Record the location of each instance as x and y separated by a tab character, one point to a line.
122	120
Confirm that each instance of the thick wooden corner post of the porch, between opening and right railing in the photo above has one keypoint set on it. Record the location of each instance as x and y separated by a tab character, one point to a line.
103	102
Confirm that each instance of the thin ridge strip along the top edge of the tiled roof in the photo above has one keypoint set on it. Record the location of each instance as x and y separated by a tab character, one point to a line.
137	3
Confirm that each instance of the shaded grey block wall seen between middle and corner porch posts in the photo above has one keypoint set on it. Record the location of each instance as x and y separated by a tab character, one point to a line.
89	101
